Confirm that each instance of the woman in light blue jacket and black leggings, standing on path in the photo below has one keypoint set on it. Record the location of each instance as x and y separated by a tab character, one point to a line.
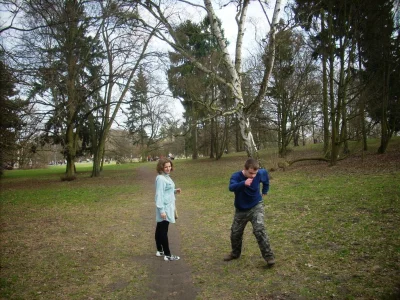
165	207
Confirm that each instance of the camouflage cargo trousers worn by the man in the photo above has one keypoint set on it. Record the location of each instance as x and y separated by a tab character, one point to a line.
256	216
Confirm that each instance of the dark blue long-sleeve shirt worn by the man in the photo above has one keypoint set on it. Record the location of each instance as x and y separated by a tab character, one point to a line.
247	197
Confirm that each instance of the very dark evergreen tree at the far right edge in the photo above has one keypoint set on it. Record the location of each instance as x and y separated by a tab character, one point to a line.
381	57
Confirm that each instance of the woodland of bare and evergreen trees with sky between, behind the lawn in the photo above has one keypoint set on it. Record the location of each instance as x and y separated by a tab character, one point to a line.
73	72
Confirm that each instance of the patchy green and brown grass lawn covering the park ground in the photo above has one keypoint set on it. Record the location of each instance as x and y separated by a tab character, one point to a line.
334	230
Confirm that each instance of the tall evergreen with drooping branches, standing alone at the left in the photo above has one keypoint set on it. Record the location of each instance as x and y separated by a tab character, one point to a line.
68	72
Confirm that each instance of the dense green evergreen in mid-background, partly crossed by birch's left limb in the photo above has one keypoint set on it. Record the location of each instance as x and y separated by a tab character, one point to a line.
199	93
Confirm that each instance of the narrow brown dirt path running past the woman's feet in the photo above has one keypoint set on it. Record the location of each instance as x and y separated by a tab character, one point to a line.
170	280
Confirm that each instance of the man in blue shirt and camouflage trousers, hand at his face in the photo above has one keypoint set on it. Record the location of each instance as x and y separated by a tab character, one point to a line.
249	207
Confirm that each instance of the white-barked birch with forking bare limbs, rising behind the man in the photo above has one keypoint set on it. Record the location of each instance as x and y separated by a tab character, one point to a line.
233	80
